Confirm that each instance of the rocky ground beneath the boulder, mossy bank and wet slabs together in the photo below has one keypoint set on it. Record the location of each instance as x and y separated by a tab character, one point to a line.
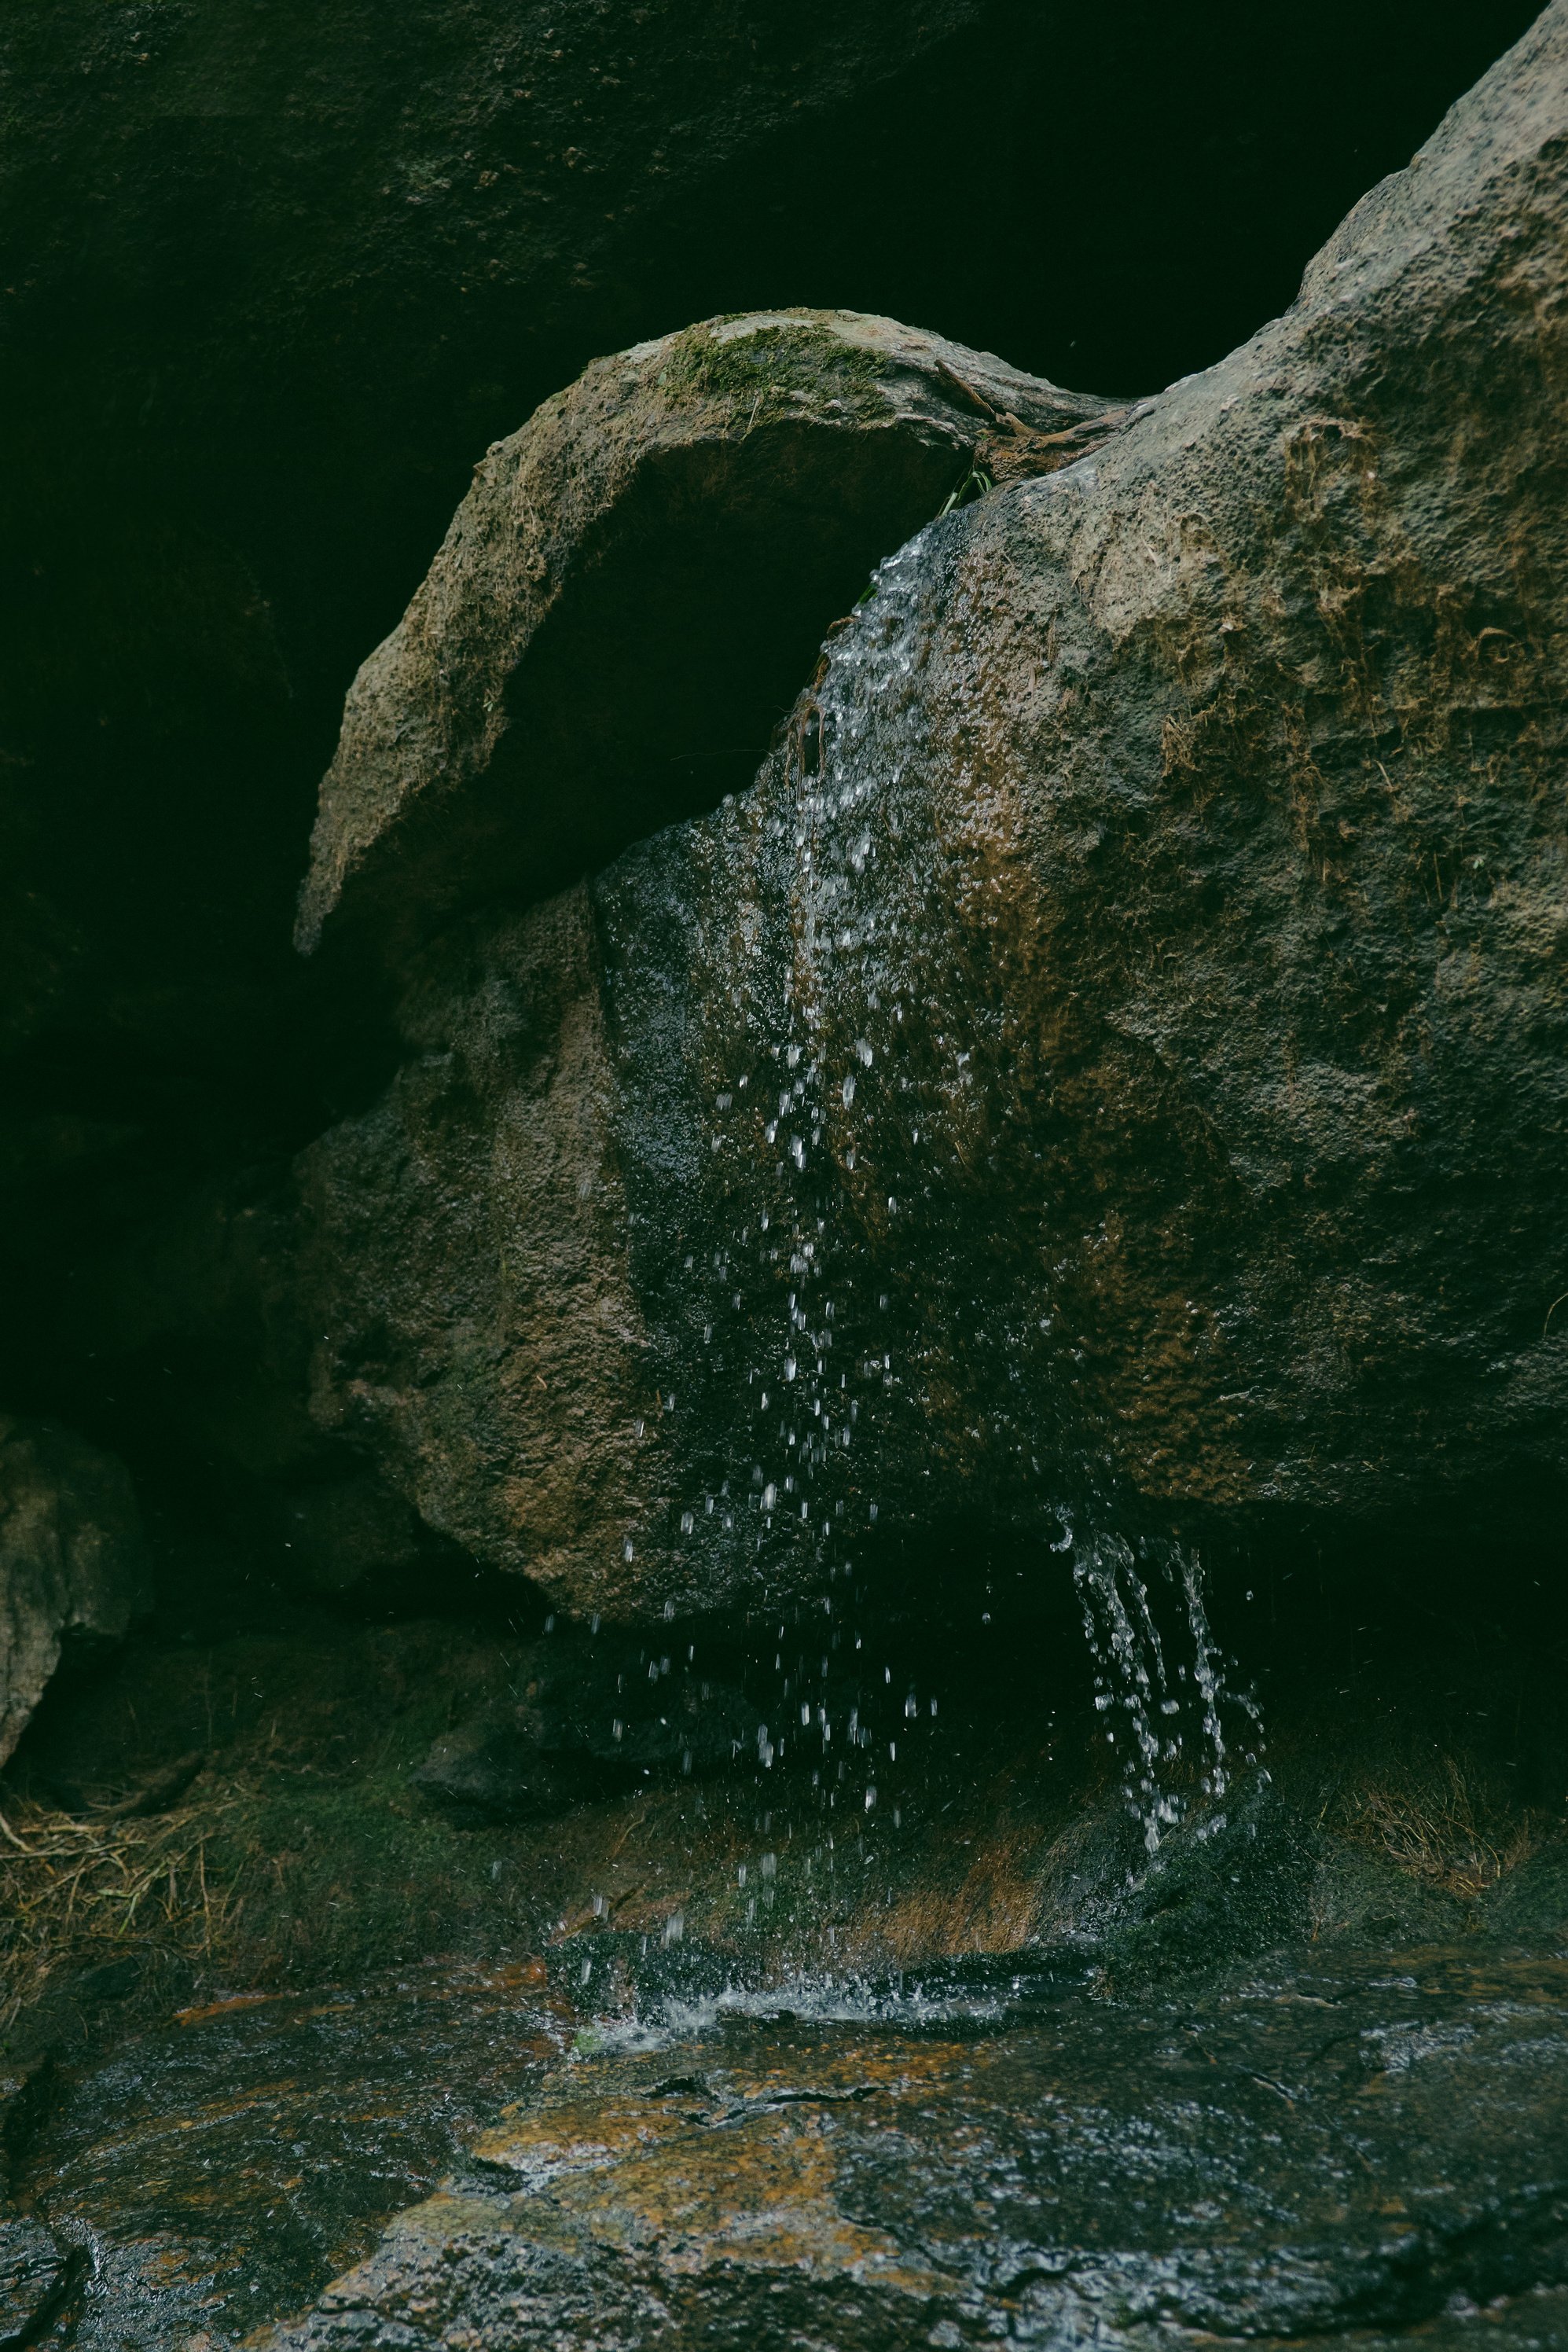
730	2050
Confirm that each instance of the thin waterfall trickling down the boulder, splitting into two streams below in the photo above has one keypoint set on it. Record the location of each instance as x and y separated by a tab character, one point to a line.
880	1309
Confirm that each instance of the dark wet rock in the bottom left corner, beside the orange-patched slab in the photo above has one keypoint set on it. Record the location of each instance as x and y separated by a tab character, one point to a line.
220	2167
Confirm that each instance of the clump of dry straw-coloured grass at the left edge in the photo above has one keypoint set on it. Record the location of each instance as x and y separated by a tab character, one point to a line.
91	1887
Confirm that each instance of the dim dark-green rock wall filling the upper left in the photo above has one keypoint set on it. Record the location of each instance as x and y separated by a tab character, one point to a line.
264	298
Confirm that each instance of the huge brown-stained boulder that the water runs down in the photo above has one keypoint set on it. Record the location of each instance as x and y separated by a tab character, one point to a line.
1118	1043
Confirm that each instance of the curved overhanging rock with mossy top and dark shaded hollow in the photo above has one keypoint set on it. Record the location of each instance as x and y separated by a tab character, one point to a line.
631	589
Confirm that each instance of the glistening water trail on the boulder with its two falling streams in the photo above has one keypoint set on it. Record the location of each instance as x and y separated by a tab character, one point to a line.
859	1276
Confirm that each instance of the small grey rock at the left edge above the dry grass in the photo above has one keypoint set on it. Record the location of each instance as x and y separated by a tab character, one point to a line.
72	1561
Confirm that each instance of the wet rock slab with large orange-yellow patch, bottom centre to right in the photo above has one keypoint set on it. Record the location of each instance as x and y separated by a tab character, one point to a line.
1296	2153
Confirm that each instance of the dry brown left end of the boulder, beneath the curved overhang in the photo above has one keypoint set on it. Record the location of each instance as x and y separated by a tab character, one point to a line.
464	1267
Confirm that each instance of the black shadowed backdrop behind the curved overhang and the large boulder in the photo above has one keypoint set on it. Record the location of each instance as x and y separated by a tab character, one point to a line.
269	298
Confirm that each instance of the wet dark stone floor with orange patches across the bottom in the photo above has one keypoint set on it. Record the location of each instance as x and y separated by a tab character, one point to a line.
1351	2146
